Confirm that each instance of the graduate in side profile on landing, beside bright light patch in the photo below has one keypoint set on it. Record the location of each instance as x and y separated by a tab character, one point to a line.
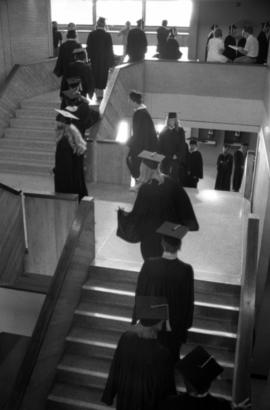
144	136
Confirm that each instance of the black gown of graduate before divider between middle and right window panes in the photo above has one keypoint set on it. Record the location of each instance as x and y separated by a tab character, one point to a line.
136	44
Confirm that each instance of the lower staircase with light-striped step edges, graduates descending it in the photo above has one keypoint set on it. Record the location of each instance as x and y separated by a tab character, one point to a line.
102	315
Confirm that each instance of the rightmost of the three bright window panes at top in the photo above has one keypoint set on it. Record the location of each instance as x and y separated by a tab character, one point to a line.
177	12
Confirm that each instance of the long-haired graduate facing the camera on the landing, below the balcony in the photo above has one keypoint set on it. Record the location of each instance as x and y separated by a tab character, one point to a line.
171	143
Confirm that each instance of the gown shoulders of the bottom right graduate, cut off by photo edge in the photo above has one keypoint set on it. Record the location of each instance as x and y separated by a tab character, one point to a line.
186	402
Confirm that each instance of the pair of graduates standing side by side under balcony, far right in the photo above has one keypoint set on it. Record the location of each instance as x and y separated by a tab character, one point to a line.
226	163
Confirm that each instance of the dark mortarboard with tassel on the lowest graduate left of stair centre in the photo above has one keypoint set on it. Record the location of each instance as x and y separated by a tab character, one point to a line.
151	309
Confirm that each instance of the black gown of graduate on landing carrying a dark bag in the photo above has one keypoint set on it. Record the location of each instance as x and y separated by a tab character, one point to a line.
156	203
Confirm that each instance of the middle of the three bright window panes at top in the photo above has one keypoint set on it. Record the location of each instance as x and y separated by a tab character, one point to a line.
117	12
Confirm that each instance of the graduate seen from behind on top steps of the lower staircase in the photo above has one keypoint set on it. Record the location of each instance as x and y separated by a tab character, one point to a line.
173	279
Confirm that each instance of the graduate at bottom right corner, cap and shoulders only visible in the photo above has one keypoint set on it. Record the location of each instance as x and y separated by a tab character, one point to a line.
199	369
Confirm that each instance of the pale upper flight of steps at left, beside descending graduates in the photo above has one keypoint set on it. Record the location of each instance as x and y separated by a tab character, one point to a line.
28	145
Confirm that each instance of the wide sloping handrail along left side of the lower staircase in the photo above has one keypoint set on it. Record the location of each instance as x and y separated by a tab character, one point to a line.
48	307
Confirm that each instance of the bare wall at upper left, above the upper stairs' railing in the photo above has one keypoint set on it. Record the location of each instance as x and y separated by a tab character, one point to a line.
25	33
